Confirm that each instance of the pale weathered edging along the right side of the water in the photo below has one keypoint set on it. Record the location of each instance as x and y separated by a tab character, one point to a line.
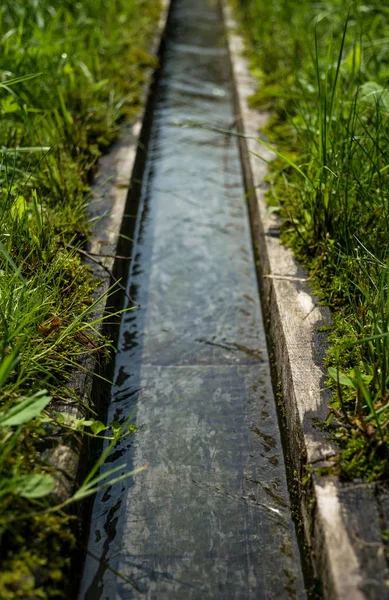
342	523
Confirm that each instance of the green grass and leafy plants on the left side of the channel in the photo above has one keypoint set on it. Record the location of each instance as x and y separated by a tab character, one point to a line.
70	72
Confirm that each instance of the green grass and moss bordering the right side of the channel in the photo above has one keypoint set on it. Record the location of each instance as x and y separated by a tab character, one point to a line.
322	71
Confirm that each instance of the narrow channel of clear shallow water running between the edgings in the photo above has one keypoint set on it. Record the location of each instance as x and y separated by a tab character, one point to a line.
210	517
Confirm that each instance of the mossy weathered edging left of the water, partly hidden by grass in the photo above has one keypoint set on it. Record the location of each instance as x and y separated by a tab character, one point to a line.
110	191
